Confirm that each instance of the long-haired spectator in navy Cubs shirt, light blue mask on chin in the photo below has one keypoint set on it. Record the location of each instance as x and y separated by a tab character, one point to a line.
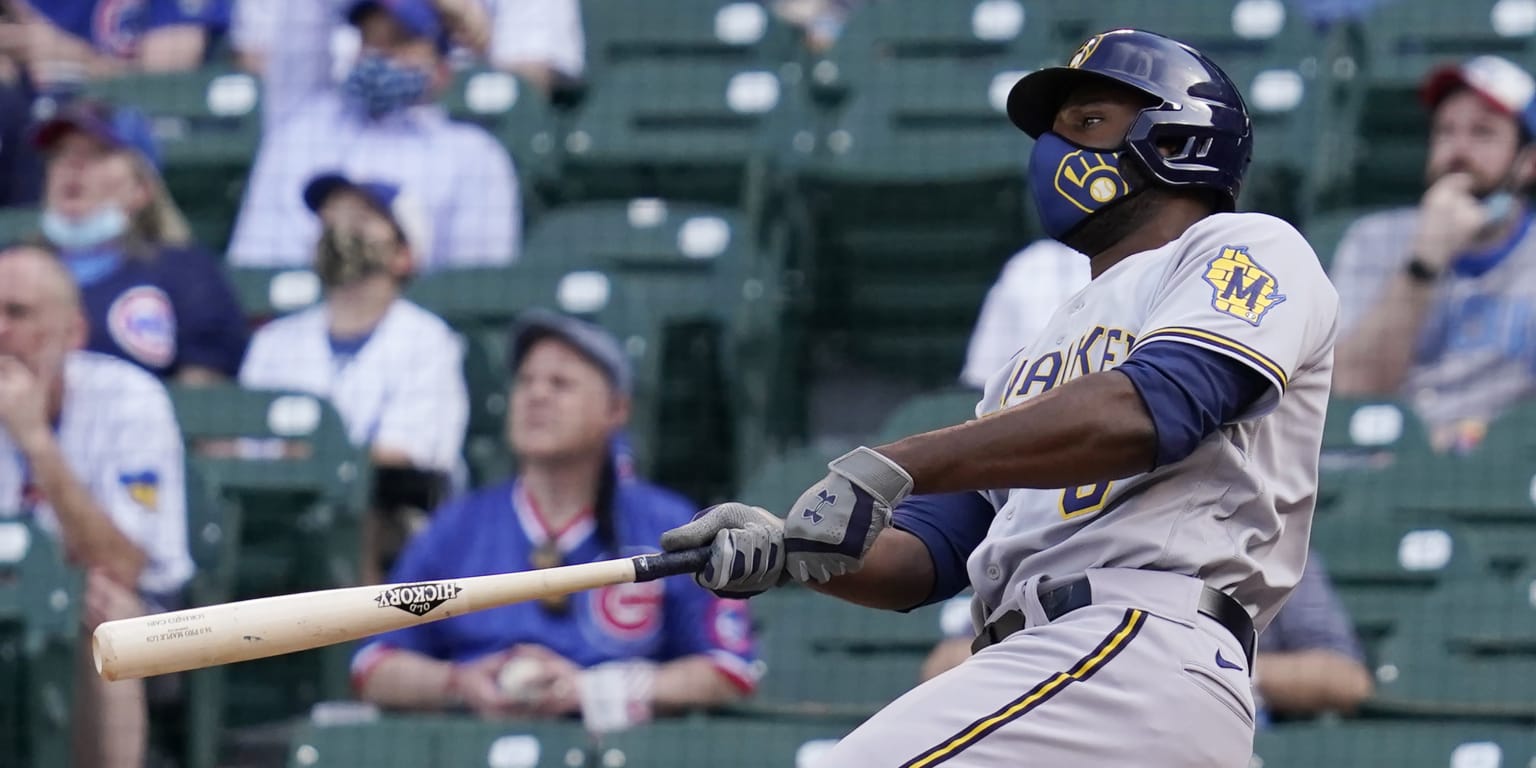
153	297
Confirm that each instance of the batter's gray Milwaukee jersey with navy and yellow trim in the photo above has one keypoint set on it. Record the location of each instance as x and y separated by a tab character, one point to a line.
1237	512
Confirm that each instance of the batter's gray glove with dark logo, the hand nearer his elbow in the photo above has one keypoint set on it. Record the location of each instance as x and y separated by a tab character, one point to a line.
836	521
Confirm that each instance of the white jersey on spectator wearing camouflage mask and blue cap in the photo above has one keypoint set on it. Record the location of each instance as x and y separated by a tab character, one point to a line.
400	388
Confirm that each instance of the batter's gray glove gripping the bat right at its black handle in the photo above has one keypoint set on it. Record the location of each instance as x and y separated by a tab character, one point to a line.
747	549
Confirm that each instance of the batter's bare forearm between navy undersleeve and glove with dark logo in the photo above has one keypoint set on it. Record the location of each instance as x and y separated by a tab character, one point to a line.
1088	431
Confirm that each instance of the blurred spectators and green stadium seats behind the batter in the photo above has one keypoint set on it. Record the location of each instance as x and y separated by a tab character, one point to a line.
313	294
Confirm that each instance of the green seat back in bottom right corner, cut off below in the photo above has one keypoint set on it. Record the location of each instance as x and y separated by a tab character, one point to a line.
1395	744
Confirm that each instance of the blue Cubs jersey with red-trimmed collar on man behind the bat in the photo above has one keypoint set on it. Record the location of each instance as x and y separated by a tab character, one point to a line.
498	529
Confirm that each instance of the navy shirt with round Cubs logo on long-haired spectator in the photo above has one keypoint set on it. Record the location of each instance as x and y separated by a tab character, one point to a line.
164	313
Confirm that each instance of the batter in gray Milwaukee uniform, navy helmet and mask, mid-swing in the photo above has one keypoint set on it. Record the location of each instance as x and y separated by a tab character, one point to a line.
1134	498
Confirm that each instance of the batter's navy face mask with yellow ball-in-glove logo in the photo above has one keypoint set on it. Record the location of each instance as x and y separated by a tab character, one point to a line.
1071	184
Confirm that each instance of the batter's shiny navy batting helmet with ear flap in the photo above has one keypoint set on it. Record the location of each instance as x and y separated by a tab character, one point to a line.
1202	113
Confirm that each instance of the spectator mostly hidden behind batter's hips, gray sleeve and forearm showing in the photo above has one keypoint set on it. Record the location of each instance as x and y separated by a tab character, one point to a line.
1308	663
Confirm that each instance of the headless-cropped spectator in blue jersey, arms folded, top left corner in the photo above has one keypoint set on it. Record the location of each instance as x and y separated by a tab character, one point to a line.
65	41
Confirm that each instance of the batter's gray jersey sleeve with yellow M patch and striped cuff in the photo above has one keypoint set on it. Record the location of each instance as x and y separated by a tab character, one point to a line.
1254	294
